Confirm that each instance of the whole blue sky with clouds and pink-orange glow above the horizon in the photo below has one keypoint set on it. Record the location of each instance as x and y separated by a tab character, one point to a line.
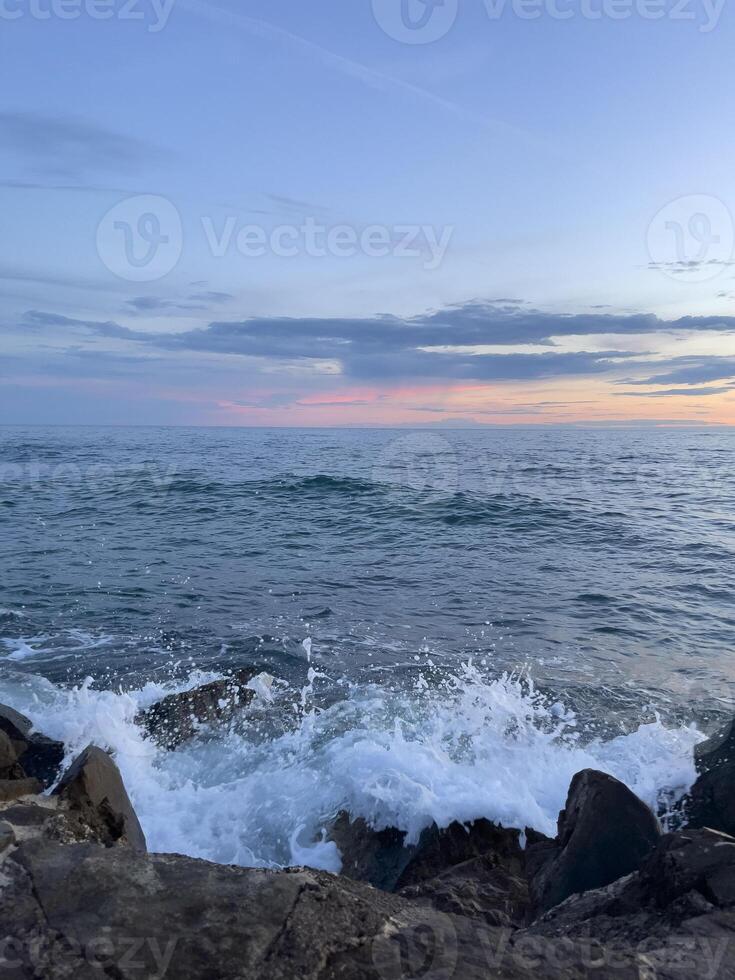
367	212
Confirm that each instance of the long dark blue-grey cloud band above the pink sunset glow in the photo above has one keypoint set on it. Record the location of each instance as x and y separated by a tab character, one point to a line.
453	344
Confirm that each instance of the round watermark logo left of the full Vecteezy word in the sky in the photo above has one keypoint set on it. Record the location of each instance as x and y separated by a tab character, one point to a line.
141	238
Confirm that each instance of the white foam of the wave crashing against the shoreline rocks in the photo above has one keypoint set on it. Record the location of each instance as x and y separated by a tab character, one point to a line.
475	748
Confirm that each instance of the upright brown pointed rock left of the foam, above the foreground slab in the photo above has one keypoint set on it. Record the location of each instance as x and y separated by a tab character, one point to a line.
95	795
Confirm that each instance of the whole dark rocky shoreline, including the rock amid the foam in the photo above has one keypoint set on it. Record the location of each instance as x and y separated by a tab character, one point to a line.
610	896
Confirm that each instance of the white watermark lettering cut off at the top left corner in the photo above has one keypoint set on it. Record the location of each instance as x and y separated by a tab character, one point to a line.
153	13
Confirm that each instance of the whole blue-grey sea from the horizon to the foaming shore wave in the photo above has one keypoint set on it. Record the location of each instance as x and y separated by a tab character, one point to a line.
456	620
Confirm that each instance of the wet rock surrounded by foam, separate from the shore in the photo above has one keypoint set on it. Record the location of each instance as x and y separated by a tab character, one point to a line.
178	717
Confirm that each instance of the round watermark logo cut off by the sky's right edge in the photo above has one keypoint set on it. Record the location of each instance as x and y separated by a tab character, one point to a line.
692	239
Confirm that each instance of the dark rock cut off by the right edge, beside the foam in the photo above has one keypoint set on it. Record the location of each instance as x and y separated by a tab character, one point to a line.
711	801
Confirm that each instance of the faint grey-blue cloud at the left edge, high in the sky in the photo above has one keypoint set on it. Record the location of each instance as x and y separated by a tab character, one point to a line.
67	147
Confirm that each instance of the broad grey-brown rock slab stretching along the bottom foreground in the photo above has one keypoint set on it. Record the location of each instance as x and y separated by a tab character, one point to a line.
83	911
